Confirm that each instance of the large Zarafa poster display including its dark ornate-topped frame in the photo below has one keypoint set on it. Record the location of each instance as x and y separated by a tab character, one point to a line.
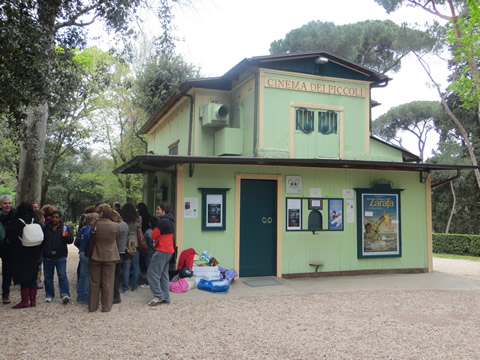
378	231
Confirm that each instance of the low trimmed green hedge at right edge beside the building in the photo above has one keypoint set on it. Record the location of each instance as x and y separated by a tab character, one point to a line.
456	244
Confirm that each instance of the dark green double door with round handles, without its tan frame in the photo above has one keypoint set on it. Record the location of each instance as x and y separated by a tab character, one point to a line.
258	225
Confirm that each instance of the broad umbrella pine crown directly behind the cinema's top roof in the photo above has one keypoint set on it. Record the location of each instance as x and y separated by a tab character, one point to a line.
378	45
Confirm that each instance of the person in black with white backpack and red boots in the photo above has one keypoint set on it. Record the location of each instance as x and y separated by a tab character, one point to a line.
25	258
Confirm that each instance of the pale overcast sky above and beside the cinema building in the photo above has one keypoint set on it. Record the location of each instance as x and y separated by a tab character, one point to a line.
217	34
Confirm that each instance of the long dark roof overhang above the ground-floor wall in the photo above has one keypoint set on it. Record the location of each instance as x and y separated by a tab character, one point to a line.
151	163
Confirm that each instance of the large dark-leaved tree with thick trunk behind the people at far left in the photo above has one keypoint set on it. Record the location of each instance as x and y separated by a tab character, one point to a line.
40	26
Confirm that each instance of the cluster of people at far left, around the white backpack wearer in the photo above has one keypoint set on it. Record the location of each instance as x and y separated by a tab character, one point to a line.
22	263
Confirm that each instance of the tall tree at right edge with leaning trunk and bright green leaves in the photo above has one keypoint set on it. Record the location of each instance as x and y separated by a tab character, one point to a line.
464	22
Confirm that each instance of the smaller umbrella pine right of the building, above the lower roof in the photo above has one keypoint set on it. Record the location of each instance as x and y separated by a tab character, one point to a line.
416	118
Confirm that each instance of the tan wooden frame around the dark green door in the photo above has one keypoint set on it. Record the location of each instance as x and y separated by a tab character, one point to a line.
238	179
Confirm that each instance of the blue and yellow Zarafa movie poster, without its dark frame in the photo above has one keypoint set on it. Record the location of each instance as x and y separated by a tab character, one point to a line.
380	224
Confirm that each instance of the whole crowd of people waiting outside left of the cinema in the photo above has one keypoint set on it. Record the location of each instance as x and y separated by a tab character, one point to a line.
108	271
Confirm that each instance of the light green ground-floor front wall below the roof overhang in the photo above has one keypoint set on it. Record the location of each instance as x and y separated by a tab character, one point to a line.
337	250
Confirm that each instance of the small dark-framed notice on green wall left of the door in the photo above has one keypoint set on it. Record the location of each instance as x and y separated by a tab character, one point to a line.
213	209
